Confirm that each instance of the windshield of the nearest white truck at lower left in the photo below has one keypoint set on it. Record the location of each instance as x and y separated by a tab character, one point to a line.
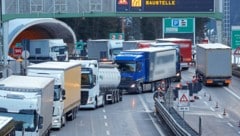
28	121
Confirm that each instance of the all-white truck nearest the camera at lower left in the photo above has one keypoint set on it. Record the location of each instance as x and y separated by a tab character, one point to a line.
29	100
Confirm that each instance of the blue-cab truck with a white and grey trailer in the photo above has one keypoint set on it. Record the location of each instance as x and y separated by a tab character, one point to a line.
144	69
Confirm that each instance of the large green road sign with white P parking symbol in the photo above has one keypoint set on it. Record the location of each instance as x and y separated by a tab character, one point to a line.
178	25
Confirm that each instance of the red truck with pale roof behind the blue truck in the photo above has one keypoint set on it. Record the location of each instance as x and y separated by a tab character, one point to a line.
185	49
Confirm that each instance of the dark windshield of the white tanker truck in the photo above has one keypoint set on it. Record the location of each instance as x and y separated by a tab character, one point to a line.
86	80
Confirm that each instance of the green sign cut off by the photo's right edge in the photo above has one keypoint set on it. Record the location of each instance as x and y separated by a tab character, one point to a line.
235	41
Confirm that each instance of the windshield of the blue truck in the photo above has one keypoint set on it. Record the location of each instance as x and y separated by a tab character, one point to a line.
126	67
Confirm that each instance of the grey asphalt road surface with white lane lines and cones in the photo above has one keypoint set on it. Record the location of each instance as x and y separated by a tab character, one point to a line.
218	108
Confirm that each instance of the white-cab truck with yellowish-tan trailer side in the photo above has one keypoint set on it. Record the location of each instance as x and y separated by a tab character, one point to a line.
67	88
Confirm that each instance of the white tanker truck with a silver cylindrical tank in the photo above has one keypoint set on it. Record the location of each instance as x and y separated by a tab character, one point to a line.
98	84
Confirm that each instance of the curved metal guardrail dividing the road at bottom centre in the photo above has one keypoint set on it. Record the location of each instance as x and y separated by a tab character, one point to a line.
177	124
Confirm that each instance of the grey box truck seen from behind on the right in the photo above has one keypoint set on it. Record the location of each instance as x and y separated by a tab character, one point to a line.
213	63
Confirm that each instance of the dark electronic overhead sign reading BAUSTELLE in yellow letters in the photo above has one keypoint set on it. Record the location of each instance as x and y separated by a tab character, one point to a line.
165	6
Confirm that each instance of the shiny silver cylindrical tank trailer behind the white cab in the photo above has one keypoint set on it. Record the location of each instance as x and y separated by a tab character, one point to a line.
109	80
